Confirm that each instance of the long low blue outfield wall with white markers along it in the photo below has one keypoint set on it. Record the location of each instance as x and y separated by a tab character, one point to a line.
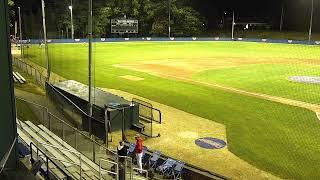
145	39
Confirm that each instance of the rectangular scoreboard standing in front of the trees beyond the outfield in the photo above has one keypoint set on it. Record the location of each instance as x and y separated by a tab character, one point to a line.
124	26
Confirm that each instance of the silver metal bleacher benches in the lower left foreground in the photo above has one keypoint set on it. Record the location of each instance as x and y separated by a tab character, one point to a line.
65	156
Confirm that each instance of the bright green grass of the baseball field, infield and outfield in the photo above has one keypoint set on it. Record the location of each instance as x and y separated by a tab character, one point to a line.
281	139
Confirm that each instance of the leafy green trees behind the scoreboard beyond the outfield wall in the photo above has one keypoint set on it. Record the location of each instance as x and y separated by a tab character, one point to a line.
152	16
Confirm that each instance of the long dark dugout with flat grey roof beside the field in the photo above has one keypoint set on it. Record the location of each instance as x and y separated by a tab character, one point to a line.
120	114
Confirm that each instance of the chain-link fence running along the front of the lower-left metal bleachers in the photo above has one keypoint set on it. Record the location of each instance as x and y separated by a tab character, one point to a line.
78	140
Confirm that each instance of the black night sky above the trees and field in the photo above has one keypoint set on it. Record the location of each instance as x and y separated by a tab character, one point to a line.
296	16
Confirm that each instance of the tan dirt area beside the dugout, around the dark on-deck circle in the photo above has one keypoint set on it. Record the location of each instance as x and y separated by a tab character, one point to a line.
179	131
